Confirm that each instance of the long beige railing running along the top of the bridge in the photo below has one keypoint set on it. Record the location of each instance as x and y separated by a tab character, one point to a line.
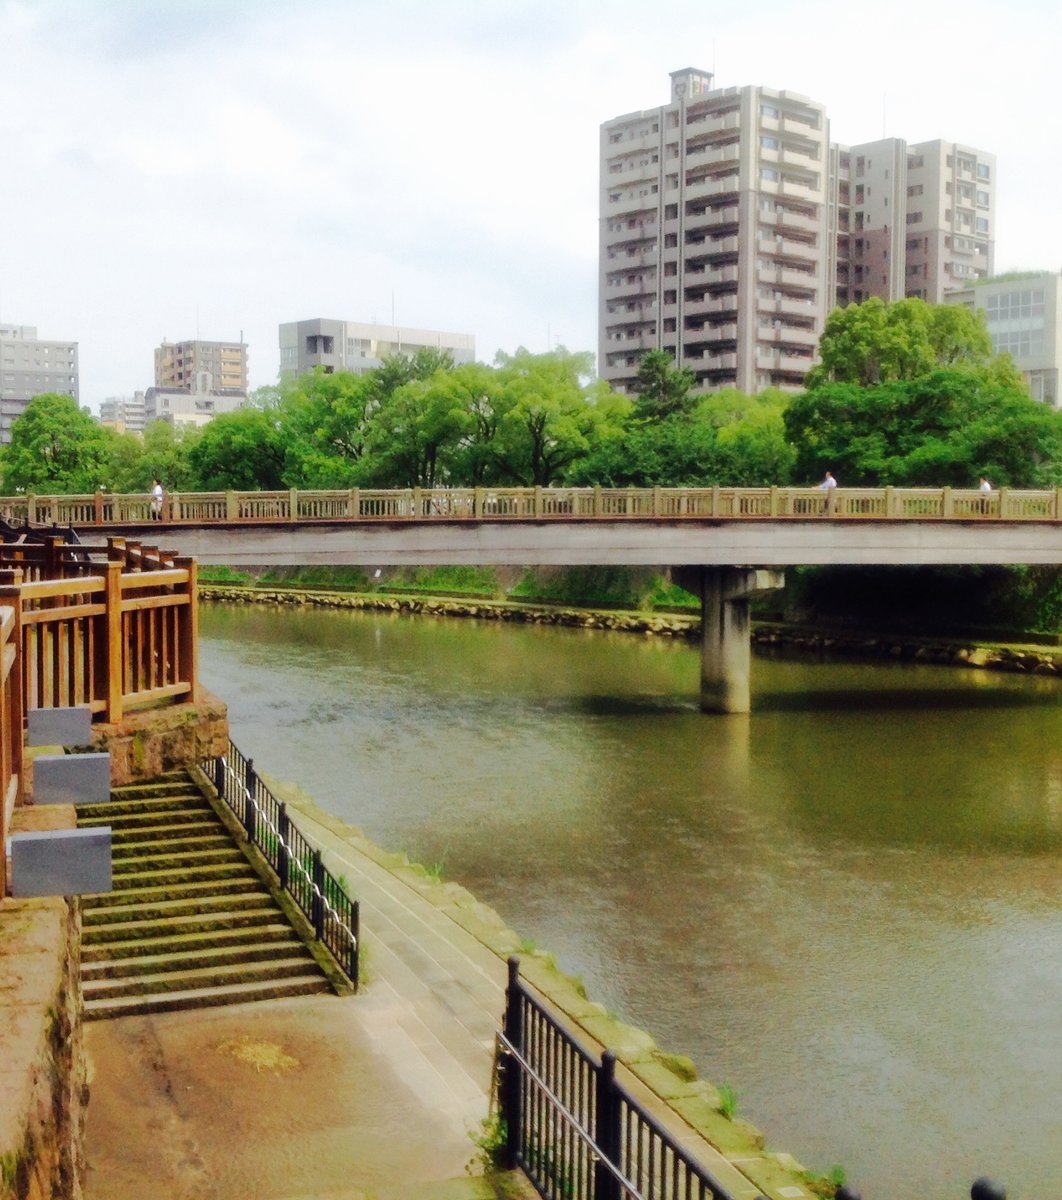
542	505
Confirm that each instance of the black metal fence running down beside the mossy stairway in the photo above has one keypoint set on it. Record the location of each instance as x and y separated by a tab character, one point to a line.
298	866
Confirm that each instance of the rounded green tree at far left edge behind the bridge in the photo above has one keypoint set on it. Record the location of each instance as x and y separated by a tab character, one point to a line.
57	448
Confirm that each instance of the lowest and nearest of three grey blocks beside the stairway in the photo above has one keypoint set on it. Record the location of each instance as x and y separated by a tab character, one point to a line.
61	862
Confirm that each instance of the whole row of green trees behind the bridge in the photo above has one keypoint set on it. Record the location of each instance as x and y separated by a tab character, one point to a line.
904	394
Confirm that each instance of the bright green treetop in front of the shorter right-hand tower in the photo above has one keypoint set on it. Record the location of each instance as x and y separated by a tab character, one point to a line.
877	343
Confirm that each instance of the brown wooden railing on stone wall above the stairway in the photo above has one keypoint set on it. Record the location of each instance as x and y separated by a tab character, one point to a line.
111	627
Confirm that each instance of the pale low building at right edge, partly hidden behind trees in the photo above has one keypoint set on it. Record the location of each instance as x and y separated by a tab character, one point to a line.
1024	320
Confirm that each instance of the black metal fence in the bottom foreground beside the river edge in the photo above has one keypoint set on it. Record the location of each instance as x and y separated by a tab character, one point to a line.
573	1127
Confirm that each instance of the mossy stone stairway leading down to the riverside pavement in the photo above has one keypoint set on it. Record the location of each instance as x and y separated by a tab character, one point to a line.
189	923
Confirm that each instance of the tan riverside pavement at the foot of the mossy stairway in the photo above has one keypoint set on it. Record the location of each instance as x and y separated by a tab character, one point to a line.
369	1097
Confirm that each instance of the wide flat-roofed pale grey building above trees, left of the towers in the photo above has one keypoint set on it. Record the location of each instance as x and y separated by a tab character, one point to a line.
359	347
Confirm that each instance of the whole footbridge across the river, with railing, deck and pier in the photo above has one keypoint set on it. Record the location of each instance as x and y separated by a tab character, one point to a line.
725	544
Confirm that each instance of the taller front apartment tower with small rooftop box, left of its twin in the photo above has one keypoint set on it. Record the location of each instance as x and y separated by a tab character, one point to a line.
715	236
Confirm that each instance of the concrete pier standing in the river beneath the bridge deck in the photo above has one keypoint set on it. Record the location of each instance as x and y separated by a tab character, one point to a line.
727	651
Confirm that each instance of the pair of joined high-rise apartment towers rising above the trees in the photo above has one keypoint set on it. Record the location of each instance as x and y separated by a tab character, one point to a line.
731	226
